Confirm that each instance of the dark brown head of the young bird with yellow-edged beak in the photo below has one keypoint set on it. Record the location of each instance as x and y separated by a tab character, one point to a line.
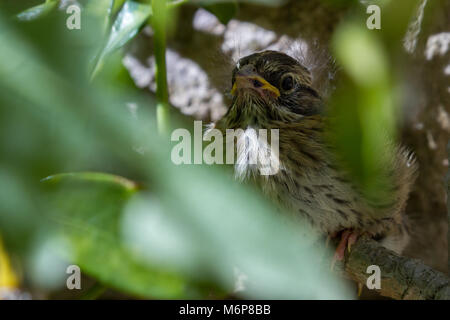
271	85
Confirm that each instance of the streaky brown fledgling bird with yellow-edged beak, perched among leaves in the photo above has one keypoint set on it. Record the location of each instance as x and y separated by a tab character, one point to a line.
272	90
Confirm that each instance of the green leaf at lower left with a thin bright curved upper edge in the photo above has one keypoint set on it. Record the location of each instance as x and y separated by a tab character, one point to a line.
87	208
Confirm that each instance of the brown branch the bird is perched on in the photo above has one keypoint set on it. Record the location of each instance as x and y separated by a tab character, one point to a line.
401	277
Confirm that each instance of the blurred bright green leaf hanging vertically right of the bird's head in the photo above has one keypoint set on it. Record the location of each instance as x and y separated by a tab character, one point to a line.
363	110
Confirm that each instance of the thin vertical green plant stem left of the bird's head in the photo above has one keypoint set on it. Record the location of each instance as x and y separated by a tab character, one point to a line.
159	22
